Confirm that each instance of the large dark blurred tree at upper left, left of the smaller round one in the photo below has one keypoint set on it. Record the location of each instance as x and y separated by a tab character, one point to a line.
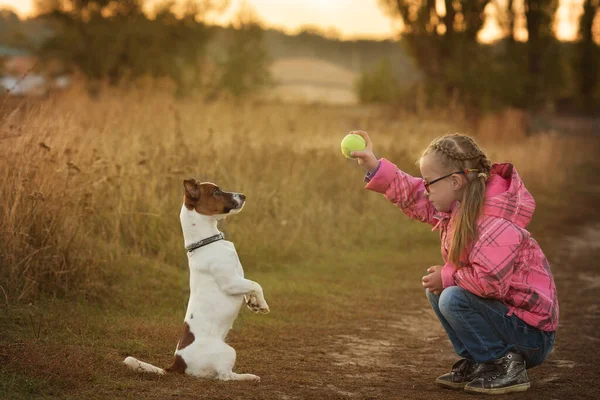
116	39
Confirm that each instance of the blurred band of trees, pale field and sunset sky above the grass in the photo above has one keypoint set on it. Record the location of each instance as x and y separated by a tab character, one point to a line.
486	55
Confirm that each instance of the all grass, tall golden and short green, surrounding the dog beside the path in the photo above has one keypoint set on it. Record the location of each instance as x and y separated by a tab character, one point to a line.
93	266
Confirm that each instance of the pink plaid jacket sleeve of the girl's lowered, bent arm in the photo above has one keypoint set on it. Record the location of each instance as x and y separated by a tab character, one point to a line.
491	260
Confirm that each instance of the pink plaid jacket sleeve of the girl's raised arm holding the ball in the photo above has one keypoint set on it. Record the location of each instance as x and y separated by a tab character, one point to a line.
405	191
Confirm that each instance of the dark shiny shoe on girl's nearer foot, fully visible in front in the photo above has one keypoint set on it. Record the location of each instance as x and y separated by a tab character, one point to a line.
508	375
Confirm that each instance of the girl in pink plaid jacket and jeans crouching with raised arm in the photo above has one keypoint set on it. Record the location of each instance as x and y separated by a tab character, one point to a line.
495	295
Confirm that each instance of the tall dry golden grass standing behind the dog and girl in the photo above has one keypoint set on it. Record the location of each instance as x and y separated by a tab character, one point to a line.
85	182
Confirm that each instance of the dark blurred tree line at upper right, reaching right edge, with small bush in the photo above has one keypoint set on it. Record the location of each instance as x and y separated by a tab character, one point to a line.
536	74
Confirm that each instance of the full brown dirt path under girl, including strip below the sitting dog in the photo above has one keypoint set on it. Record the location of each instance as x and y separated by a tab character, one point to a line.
395	350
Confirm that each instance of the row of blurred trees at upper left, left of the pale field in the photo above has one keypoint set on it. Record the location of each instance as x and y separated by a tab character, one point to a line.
120	41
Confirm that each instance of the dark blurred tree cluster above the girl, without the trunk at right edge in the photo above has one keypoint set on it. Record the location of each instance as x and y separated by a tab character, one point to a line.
445	46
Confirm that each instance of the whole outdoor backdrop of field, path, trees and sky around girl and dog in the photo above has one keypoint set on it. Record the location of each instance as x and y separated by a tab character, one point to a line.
106	106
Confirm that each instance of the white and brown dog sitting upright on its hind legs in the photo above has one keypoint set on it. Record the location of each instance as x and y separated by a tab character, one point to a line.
217	287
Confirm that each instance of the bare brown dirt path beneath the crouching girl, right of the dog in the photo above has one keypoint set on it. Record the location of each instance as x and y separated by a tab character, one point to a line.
398	352
